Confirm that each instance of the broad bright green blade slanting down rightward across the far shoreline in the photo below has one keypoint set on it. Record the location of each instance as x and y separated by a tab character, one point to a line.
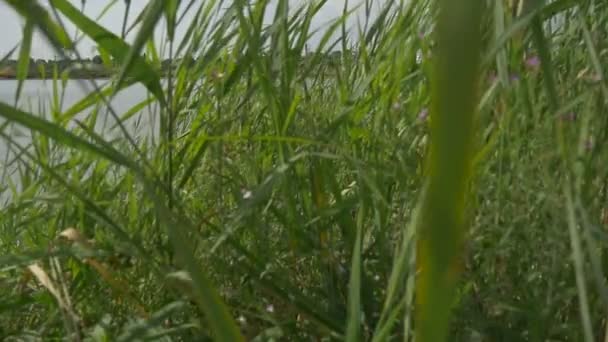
140	70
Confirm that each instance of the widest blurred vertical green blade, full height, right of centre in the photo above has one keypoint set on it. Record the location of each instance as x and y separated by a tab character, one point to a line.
453	104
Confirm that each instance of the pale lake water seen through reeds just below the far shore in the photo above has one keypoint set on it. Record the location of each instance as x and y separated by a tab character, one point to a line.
37	98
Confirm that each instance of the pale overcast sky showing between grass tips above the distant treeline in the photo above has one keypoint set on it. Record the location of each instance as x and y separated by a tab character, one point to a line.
11	24
